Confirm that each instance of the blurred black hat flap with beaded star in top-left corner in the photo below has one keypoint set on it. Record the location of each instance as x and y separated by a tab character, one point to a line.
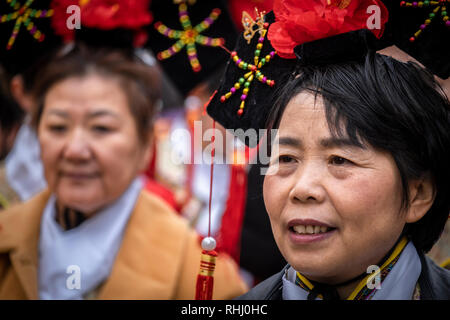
26	35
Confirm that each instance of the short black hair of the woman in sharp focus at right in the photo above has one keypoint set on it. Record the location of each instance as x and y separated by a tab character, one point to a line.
392	106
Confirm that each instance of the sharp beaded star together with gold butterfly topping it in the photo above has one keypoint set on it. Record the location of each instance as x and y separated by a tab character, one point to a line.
255	69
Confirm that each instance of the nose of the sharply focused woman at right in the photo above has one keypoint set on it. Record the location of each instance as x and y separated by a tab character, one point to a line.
308	184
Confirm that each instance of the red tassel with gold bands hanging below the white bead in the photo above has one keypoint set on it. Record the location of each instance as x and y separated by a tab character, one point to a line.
205	278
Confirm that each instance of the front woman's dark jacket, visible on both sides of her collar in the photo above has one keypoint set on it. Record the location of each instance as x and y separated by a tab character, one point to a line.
434	283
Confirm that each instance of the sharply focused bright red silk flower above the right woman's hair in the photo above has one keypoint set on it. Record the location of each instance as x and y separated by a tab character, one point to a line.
300	21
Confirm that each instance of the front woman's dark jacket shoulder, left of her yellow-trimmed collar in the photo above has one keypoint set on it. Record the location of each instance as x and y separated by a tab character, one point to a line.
269	289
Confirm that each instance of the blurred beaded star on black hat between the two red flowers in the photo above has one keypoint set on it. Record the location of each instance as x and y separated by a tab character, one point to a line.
189	36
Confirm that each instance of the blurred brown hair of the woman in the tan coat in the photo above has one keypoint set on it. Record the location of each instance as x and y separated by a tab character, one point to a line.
139	81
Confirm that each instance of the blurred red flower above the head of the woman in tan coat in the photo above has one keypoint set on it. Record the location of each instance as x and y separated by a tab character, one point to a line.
101	14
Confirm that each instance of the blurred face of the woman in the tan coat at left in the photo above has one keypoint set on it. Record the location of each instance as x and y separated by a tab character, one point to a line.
89	142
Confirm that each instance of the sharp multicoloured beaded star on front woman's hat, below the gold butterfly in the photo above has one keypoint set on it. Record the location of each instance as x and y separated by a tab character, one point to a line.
255	72
